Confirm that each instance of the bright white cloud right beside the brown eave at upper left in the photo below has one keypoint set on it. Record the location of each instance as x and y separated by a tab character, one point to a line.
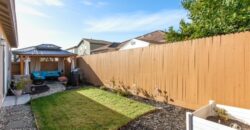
27	10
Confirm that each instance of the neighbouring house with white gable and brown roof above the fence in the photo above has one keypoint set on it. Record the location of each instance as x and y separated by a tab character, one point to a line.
153	38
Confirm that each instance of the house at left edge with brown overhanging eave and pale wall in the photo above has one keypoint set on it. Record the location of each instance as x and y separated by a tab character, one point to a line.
8	39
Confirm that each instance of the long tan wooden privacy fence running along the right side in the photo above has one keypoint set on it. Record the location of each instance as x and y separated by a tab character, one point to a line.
186	74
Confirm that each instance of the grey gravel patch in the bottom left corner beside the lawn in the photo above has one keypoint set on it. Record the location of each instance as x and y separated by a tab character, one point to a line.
17	117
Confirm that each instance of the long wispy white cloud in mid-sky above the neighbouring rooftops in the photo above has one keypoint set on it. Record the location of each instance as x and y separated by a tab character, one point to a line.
135	21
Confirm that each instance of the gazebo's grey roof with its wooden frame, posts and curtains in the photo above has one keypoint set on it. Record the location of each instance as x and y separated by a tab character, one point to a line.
35	53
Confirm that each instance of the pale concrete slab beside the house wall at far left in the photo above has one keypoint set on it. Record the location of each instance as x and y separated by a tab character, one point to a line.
16	100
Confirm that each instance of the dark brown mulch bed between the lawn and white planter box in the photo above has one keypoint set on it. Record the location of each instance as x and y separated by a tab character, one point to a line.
167	117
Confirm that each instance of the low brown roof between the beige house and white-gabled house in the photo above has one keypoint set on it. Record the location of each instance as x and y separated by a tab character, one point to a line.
107	48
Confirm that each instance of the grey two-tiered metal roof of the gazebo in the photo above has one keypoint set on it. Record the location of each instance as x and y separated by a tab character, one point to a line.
43	50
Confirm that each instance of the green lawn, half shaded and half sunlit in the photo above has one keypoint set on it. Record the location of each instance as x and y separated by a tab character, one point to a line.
89	108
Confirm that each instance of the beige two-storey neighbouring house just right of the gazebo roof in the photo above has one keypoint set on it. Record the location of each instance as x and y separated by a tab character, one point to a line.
87	45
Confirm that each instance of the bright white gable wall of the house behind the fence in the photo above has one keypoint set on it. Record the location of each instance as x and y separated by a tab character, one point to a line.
134	43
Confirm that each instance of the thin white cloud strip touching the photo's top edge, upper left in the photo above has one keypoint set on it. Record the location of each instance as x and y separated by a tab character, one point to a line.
43	2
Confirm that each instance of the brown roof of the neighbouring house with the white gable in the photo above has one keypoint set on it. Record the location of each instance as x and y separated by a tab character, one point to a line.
156	37
